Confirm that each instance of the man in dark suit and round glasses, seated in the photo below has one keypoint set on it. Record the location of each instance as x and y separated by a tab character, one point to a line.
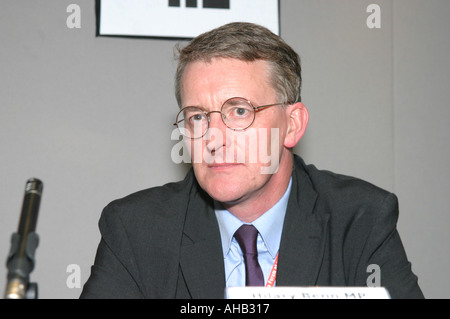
237	84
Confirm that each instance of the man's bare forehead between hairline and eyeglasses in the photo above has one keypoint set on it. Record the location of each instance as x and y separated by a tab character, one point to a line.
220	79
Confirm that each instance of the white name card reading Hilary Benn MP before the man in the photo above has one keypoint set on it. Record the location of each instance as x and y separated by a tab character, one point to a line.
307	293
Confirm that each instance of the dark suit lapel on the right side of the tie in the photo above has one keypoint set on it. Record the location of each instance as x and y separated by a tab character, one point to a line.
304	235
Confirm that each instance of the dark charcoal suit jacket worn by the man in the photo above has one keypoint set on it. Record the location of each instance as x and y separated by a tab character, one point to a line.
164	242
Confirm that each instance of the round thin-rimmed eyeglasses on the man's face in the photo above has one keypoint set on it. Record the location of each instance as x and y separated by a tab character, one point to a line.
237	114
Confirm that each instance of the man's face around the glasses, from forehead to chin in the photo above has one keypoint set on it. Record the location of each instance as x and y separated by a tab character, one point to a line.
231	166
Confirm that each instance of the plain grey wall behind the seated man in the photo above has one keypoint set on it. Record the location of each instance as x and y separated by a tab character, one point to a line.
92	118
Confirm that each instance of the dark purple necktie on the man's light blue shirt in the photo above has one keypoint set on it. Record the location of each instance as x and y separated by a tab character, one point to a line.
246	236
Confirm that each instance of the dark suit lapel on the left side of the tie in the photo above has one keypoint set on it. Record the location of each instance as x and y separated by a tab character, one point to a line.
201	257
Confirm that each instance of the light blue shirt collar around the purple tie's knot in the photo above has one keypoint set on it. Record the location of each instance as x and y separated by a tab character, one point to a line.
269	225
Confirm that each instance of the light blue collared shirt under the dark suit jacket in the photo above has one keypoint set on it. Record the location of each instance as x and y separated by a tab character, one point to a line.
269	226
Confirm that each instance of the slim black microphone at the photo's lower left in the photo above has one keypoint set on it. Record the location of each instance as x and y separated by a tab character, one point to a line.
20	261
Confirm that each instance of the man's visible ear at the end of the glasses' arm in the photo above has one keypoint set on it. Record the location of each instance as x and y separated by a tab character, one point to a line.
298	120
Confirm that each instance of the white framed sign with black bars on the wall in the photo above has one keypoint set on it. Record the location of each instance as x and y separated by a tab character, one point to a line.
181	18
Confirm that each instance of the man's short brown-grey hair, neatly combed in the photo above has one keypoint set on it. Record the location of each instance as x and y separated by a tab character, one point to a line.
246	42
